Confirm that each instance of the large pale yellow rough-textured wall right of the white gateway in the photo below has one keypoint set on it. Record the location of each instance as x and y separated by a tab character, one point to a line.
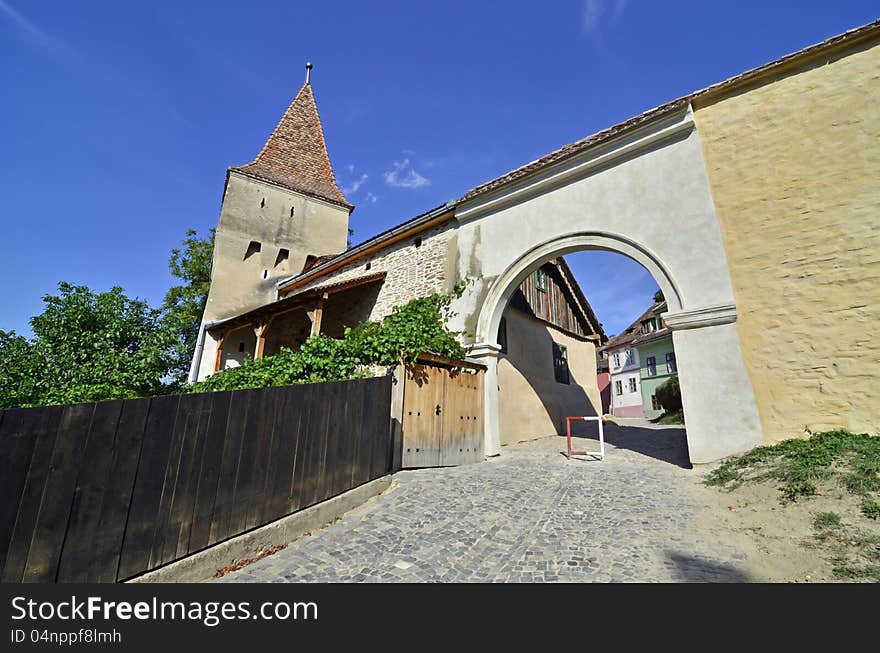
794	166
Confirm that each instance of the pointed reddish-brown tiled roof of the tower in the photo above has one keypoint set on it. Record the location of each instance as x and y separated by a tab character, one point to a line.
295	155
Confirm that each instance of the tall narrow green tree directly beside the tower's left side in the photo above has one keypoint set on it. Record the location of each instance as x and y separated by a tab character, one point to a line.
184	304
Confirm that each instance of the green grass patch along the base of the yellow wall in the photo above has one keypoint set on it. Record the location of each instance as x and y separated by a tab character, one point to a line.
851	458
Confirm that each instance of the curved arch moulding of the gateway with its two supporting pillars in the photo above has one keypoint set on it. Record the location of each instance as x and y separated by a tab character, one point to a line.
703	336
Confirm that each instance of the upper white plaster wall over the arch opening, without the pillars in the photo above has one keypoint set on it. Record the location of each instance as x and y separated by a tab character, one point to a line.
659	199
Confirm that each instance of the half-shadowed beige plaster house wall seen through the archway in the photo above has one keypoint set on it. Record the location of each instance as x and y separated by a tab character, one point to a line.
531	403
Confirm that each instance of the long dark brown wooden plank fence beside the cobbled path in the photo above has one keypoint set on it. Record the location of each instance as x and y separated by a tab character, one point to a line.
106	491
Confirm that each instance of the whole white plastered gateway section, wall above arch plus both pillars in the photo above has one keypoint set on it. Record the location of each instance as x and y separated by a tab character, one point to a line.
646	196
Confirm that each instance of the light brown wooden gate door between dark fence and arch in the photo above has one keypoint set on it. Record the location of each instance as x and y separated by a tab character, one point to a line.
442	421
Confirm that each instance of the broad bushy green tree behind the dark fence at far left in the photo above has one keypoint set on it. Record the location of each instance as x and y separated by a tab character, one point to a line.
86	347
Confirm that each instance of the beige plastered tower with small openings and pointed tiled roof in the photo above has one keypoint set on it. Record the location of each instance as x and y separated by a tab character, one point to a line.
282	207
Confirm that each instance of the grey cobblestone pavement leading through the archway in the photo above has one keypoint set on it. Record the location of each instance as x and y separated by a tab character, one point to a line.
529	515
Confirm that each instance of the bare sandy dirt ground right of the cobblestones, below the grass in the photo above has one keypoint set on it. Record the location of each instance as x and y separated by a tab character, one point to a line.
781	539
